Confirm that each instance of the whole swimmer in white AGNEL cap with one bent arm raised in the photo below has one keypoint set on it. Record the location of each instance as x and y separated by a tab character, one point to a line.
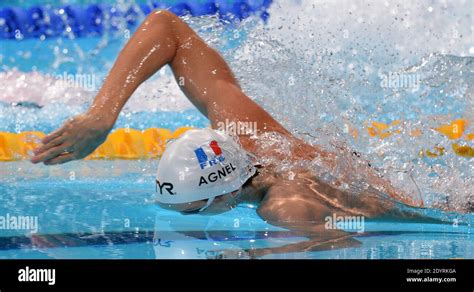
209	172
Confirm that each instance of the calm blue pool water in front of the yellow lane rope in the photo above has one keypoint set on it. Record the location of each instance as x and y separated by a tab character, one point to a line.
105	210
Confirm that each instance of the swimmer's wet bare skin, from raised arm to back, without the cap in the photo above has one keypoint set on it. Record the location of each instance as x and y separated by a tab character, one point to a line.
299	200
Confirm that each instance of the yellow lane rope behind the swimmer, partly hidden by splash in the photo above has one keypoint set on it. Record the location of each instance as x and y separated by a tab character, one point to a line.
150	143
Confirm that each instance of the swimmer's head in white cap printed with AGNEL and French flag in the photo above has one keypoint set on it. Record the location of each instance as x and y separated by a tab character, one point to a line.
202	170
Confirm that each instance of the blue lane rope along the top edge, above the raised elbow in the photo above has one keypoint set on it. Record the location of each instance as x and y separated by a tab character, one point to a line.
47	21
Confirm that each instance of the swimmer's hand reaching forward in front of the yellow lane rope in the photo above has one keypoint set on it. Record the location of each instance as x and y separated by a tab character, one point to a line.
76	139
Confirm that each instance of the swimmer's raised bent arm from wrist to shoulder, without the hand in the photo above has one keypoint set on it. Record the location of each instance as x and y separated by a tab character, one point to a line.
200	71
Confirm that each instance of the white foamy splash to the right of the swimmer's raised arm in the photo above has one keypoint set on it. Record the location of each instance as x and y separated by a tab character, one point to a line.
318	67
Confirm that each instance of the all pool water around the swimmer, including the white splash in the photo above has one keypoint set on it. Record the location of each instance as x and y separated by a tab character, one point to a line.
327	56
